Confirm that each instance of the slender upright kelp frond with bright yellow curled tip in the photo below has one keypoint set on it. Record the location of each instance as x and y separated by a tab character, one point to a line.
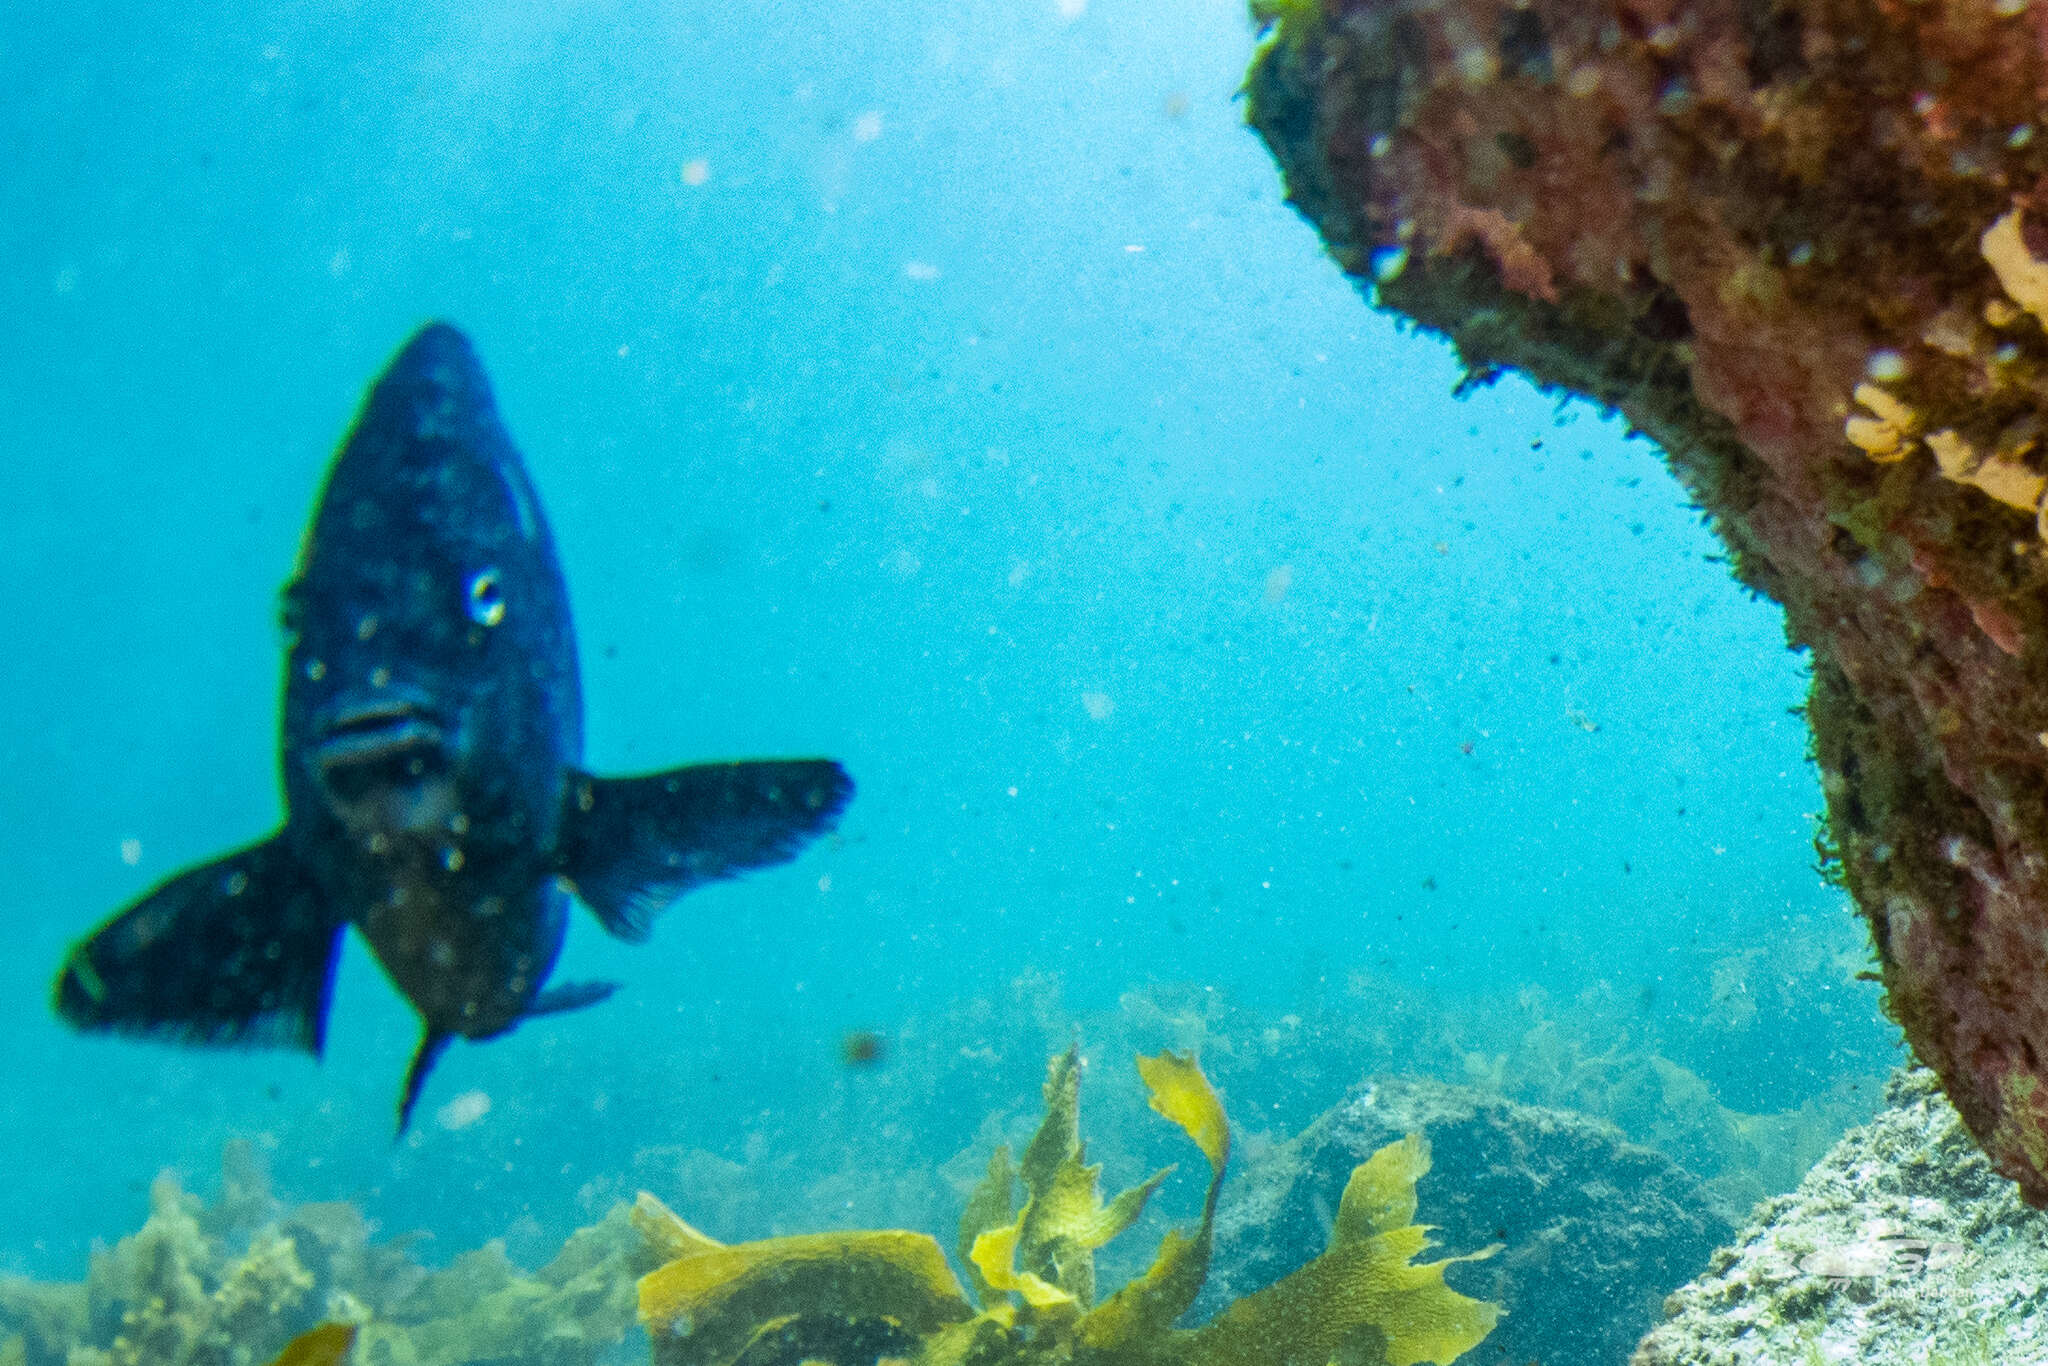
1150	1306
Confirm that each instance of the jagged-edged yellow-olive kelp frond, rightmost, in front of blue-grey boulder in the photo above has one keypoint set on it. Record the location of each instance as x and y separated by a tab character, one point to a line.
1367	1289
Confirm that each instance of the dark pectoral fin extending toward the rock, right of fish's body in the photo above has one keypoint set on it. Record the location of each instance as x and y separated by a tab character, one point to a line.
632	847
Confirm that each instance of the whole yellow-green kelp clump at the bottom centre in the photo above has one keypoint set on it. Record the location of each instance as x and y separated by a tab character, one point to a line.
839	1297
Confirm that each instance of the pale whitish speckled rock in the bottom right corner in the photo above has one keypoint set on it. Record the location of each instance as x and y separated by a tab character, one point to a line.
1902	1248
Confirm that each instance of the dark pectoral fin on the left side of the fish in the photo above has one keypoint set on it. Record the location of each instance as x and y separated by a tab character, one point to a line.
239	951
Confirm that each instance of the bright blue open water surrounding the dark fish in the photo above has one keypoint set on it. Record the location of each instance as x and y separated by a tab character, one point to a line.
949	390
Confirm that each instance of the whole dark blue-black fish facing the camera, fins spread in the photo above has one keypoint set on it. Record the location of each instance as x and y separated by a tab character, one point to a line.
431	742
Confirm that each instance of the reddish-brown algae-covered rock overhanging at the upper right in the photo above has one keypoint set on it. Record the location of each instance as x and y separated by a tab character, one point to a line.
1805	249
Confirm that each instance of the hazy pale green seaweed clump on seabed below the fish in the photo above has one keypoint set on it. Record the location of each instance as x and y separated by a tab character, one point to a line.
251	1279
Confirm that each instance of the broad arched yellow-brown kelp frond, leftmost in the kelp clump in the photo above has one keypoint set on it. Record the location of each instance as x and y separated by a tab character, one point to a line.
708	1308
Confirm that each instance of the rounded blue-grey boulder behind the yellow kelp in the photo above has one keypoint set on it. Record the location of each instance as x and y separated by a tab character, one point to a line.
1596	1230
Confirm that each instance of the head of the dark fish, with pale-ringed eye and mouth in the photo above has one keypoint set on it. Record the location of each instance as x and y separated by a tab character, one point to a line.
431	671
